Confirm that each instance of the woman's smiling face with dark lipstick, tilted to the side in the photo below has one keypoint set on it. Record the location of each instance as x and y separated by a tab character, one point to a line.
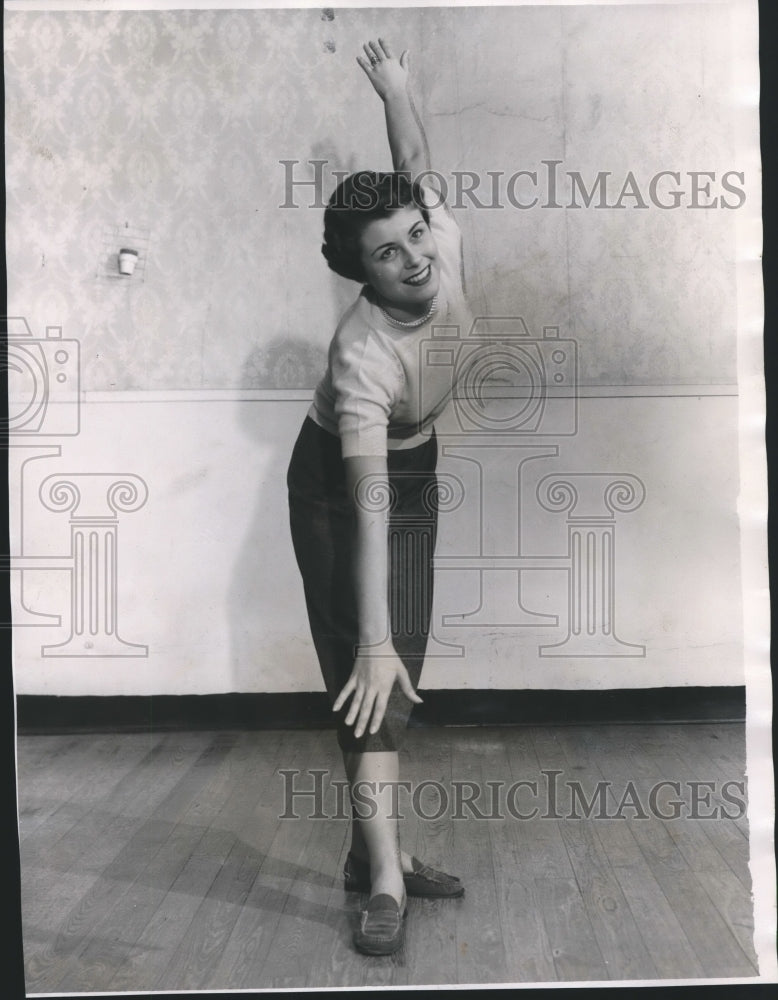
400	259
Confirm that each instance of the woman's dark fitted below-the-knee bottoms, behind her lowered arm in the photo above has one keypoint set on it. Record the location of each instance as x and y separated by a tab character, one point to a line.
323	533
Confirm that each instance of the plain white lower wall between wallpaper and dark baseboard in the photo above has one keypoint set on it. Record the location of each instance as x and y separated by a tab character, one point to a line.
207	581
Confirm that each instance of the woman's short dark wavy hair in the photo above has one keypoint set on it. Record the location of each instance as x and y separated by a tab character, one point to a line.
357	200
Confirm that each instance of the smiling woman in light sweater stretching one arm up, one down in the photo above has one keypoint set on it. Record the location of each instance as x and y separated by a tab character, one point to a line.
369	436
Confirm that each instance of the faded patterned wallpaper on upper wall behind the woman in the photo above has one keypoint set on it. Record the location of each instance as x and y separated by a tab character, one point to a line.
164	130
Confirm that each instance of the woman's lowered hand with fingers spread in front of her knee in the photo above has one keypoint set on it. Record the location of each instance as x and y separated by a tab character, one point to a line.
370	684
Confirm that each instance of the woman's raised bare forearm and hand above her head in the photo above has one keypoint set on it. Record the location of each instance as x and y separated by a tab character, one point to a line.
390	80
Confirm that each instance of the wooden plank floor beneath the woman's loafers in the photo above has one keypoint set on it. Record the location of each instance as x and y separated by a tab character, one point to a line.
159	862
